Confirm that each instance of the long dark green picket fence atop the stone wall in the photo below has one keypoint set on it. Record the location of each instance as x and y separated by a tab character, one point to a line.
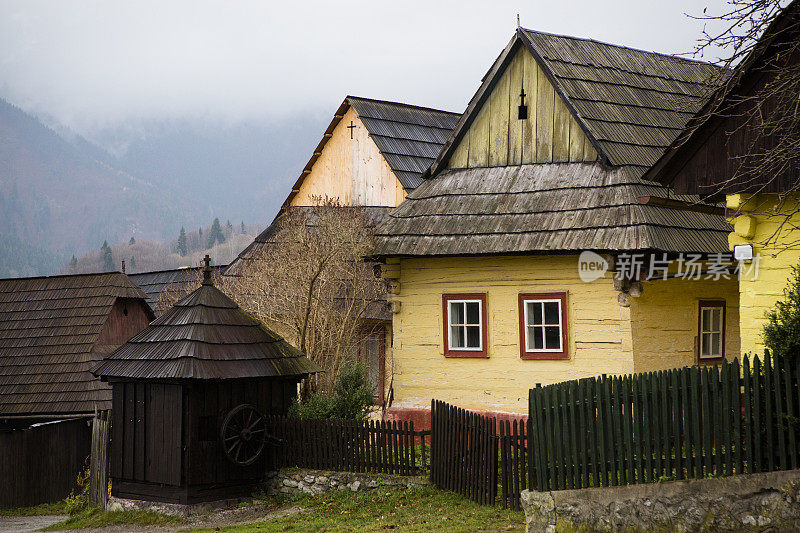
690	422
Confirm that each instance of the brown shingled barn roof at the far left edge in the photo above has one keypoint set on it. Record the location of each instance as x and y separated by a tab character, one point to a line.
49	327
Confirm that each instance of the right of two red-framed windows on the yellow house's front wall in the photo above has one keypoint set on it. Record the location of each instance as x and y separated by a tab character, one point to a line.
543	325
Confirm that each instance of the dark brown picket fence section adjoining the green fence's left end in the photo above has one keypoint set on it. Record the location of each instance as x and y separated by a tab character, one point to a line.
464	452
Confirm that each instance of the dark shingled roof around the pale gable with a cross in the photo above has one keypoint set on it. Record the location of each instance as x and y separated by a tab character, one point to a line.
409	137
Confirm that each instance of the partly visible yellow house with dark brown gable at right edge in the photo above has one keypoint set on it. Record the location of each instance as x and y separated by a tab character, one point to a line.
711	159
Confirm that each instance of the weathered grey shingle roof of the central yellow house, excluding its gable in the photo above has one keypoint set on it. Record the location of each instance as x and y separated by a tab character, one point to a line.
630	104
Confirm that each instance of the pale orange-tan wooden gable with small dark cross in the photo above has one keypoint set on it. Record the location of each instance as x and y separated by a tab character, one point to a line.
352	171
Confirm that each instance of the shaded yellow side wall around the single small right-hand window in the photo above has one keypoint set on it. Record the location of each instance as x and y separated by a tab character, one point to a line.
664	321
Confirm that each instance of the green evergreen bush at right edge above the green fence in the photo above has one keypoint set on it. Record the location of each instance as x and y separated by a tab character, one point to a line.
782	331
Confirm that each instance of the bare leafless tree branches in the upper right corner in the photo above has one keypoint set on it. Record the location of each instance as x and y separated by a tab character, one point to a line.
771	111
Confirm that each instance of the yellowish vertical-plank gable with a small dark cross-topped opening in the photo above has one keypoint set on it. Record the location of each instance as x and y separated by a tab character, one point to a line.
497	137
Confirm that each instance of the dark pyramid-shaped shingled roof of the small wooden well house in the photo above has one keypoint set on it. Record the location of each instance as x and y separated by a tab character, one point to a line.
205	336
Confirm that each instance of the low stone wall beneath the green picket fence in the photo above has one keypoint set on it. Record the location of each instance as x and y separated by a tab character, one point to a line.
742	503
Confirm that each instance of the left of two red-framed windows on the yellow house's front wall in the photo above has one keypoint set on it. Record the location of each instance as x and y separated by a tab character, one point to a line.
464	324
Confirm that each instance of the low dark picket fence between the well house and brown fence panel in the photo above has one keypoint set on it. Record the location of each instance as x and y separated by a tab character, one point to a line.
347	445
